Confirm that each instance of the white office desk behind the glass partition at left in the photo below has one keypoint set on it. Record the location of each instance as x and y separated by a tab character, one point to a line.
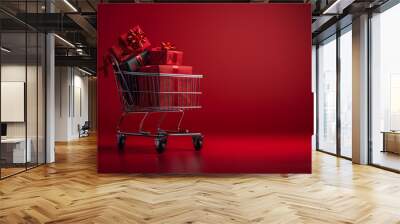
13	150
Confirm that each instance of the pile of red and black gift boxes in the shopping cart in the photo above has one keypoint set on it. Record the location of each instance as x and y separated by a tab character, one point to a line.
135	54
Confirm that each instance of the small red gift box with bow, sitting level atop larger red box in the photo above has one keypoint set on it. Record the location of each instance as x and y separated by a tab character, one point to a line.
165	55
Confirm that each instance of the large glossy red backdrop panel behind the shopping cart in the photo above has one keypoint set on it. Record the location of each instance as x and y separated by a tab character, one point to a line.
257	100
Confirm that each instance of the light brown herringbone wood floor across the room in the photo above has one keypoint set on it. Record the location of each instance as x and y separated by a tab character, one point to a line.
71	191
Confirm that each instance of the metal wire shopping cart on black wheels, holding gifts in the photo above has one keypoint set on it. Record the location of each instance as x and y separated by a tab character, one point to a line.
146	93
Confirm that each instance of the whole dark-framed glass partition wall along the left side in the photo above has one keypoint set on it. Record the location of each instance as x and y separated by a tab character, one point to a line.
22	77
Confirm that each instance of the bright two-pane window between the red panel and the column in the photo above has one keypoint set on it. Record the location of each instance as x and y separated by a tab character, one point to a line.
334	93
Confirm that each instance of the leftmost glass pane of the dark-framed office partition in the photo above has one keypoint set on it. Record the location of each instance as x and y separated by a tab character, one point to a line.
15	150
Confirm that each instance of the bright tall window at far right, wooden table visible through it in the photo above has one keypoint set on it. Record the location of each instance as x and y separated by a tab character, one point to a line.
385	89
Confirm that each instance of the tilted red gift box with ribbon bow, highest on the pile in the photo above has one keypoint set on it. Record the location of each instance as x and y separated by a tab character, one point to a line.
135	40
